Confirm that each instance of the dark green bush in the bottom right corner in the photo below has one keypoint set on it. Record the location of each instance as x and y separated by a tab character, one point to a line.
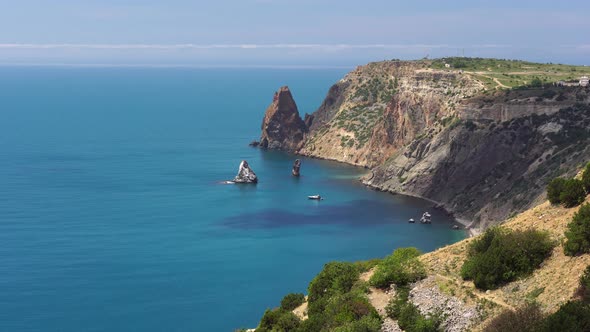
574	316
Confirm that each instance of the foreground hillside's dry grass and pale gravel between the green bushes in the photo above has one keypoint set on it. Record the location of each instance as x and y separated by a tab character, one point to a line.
463	306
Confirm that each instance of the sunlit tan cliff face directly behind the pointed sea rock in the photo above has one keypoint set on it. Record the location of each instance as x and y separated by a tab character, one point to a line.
380	107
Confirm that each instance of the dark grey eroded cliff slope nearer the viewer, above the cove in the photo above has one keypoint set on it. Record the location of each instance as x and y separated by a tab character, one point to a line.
483	170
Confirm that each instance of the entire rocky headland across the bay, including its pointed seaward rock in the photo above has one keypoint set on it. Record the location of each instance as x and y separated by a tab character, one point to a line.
451	136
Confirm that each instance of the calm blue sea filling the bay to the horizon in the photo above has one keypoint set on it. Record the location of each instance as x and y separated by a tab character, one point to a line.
114	217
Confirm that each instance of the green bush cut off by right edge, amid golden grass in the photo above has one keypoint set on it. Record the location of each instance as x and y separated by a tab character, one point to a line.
578	233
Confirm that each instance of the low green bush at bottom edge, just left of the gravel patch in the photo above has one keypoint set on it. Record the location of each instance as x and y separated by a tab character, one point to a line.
408	316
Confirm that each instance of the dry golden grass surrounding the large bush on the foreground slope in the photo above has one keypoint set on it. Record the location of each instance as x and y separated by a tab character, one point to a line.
551	285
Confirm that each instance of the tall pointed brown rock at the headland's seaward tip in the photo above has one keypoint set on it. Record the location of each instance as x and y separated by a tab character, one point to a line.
282	127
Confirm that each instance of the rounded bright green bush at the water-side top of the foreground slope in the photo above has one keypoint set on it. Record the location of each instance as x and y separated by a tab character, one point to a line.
400	268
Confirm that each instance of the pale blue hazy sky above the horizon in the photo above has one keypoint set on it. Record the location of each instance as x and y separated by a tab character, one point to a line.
294	33
